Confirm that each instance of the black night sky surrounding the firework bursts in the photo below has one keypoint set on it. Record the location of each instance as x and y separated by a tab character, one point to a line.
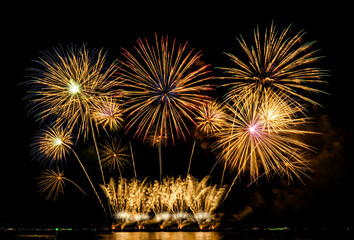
326	200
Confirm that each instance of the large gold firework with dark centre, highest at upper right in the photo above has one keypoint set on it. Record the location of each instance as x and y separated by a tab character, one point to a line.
278	62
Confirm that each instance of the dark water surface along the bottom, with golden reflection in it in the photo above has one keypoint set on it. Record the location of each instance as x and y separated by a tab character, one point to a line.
176	235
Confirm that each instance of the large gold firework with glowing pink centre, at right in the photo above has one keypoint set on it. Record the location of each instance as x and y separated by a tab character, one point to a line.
262	135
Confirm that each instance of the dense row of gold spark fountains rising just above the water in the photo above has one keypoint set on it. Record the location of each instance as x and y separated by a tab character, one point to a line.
168	203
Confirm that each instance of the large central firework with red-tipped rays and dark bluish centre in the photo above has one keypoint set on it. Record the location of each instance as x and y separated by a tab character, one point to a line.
165	87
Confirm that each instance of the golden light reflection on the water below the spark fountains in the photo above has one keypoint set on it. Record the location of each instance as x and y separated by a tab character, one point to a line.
163	236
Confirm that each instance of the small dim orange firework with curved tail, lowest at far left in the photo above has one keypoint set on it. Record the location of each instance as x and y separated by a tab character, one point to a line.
53	183
